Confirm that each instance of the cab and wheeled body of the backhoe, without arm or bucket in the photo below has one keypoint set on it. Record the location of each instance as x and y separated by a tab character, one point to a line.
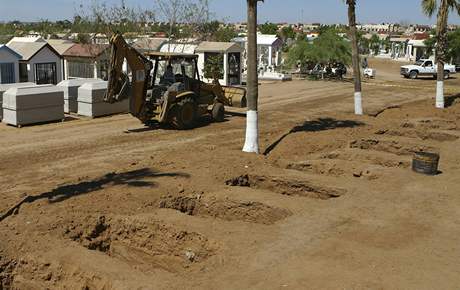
176	86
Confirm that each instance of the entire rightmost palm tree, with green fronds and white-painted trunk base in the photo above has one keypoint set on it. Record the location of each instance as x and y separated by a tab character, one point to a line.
429	7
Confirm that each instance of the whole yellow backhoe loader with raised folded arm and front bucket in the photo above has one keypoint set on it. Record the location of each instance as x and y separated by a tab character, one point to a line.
166	87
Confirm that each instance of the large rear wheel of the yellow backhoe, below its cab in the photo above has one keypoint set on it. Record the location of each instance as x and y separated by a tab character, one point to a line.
183	114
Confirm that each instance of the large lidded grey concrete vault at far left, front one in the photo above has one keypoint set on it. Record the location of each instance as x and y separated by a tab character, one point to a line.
31	105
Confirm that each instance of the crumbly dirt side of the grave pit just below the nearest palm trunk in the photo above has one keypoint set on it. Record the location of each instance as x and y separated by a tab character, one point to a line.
295	187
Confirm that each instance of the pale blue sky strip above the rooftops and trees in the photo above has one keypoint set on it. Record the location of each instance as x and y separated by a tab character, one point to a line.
308	11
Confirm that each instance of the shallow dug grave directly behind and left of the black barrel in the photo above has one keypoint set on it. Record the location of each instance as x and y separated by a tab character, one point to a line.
390	146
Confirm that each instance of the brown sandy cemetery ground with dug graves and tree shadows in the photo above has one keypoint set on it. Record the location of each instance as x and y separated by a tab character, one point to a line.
333	204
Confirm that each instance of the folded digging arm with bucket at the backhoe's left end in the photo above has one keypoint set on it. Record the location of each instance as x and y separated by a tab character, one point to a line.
118	83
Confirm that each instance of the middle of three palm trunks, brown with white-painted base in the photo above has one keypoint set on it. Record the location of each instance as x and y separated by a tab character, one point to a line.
355	55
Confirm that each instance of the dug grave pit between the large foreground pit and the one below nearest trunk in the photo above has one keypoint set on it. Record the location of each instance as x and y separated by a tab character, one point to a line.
230	210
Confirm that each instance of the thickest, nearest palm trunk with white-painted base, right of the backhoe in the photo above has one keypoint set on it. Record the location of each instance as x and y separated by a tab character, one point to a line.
252	136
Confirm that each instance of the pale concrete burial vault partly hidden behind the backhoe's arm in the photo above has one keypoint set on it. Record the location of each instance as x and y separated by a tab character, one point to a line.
91	101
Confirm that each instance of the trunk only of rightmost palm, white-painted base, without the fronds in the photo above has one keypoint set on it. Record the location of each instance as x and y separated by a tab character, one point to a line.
441	34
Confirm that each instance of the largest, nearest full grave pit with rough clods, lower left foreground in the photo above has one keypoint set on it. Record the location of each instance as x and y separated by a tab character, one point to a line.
161	242
